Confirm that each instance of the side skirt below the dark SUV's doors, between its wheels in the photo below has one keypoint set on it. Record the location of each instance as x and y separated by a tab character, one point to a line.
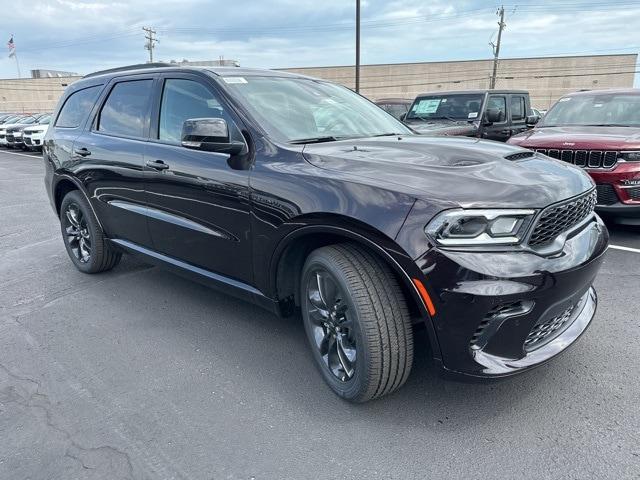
219	282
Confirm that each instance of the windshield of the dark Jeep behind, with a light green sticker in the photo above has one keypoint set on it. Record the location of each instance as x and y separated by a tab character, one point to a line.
451	107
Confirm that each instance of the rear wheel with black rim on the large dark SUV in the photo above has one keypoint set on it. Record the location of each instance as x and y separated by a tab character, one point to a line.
83	237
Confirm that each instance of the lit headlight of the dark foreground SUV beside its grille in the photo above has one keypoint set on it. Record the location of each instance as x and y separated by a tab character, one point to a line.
456	228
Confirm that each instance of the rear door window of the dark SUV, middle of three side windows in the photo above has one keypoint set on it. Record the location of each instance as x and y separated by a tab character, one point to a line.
126	110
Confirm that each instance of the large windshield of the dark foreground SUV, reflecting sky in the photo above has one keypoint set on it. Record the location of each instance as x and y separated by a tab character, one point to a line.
300	110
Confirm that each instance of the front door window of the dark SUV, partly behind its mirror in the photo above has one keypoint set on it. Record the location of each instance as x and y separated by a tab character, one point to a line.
185	99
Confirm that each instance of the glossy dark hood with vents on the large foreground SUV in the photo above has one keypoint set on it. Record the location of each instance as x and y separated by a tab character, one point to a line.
452	170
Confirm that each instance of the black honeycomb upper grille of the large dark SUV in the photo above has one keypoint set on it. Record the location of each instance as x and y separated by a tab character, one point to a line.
557	219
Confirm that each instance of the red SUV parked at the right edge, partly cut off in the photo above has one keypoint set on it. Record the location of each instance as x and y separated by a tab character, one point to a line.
600	132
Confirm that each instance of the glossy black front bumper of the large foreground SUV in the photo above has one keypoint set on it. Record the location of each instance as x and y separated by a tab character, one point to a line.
492	306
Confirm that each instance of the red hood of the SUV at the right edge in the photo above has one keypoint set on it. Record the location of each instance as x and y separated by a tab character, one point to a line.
576	137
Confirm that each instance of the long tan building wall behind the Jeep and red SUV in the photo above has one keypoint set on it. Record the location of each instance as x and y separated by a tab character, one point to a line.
546	78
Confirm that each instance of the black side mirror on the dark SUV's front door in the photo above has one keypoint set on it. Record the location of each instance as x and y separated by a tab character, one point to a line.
210	135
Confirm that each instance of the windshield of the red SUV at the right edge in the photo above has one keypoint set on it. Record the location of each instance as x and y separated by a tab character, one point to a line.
598	110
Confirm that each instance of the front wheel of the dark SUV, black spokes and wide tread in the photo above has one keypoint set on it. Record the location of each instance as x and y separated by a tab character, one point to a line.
372	334
